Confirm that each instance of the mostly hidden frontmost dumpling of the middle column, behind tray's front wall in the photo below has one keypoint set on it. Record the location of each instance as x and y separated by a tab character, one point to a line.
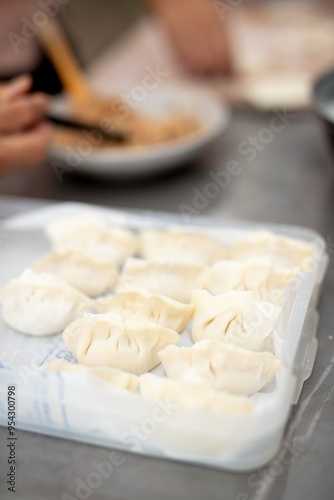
116	377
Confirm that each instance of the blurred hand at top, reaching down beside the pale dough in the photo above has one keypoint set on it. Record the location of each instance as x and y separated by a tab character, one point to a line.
197	32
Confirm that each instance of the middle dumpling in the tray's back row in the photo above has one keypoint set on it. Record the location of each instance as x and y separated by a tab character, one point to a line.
181	246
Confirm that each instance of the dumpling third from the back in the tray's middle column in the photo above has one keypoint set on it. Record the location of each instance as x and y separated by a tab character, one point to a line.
161	310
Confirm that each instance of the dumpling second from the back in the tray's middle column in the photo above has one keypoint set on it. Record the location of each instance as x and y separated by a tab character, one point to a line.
173	279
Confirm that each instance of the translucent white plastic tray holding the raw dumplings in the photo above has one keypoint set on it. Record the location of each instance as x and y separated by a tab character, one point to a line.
88	409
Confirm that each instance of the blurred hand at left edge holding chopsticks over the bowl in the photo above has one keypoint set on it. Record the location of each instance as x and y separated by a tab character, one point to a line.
24	134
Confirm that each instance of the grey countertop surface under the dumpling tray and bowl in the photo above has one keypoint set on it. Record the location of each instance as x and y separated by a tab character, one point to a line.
289	181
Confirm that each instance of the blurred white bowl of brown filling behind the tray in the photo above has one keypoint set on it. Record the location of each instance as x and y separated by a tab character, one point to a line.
171	126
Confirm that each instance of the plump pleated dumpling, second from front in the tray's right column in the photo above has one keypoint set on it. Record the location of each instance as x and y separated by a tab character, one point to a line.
222	366
